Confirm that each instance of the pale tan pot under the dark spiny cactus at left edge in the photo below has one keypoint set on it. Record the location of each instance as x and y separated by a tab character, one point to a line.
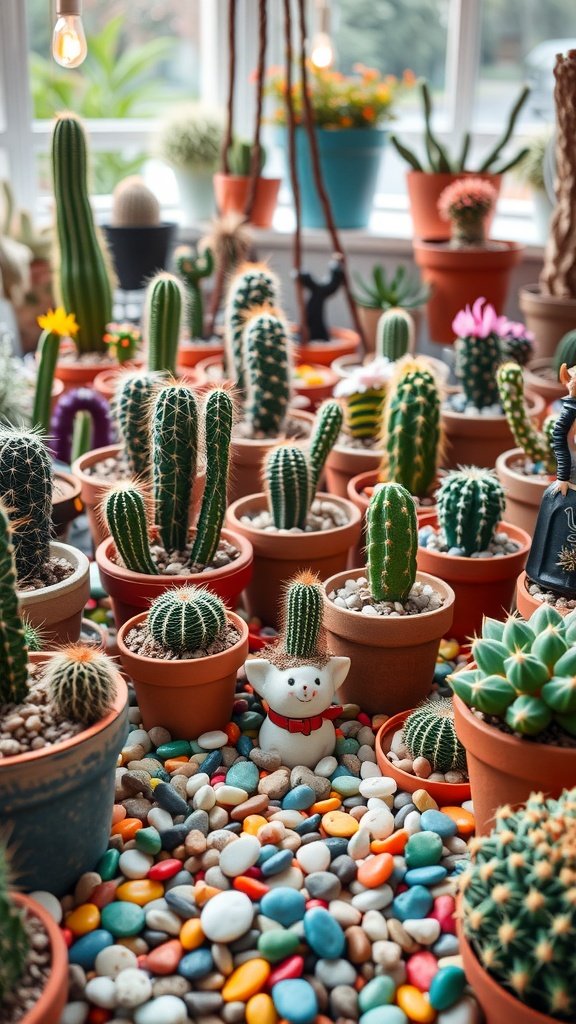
57	611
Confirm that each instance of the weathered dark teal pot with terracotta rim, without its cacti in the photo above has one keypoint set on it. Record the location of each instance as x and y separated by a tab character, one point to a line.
56	803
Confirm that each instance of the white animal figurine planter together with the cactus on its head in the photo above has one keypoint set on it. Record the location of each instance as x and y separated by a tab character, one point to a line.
299	679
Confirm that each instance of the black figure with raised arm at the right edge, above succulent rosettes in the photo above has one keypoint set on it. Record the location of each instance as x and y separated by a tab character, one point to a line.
552	563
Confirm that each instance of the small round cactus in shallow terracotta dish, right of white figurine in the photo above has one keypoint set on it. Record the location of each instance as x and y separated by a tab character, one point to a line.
430	733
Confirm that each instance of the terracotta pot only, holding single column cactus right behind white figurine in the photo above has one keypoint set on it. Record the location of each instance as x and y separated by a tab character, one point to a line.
393	659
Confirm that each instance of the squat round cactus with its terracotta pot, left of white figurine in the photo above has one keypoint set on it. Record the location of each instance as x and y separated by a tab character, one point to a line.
183	657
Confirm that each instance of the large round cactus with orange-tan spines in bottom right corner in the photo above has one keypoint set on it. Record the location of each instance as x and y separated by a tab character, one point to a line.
519	910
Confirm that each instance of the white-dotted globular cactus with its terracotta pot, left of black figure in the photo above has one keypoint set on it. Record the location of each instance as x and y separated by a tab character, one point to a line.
469	546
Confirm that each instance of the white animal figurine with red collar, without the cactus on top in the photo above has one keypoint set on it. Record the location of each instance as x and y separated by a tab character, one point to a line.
300	724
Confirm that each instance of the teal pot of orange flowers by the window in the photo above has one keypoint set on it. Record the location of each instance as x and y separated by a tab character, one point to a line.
350	159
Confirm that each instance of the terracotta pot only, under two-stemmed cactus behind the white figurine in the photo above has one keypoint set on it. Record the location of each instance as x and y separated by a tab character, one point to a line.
279	557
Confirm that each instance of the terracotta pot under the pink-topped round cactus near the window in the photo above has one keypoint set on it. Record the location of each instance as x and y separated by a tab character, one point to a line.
459	277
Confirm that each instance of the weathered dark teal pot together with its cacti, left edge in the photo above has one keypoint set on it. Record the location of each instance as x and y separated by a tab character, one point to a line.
56	796
